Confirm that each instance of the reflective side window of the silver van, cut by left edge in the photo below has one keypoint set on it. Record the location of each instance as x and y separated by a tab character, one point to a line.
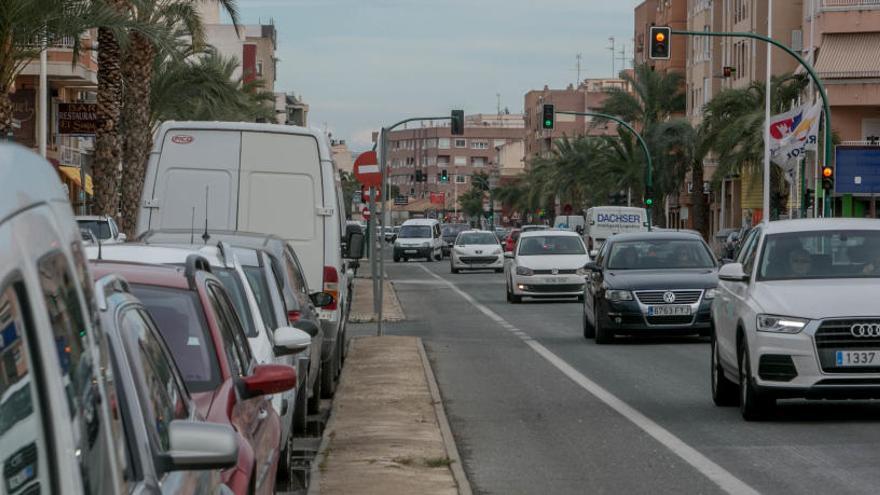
23	431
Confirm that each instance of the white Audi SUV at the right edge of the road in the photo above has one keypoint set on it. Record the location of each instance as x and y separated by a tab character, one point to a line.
796	315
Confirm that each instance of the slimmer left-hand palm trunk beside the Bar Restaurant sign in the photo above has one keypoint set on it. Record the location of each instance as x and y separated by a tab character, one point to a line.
107	149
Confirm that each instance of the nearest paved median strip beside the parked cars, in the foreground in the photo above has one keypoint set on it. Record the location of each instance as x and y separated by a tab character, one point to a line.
388	433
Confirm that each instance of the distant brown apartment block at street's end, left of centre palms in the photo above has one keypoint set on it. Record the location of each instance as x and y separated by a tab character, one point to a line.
433	151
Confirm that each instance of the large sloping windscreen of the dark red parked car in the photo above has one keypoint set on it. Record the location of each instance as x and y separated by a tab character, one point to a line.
178	314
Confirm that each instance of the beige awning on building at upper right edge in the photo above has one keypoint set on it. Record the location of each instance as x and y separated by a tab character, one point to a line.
848	55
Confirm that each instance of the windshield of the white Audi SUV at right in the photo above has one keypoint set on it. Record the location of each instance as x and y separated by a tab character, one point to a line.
821	254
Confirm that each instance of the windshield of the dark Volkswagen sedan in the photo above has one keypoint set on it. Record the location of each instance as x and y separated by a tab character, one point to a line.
659	254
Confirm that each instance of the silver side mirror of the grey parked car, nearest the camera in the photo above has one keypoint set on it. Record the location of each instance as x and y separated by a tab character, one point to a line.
197	445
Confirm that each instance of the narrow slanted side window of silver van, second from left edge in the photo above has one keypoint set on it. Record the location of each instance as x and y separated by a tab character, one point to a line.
70	332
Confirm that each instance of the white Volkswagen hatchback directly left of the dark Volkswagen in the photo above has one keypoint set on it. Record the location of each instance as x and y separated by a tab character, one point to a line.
546	263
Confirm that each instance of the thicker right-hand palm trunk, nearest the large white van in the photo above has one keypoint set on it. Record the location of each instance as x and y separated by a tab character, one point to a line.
137	71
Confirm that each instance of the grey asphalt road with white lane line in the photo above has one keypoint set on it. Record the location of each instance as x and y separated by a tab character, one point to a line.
535	408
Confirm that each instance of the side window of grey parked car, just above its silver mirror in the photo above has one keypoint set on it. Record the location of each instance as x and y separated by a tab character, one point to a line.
165	401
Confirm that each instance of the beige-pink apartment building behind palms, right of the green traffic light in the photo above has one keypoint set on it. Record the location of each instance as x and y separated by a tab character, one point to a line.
589	95
